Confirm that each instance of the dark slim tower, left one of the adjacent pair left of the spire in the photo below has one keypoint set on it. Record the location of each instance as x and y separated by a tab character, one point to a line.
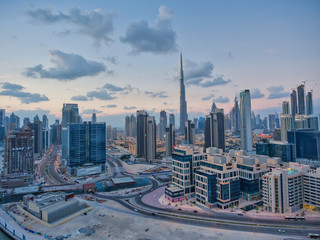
141	133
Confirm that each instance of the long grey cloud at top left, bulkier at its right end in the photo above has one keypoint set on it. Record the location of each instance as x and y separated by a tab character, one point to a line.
96	24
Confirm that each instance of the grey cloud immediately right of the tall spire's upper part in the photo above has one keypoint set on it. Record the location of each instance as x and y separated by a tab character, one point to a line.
196	73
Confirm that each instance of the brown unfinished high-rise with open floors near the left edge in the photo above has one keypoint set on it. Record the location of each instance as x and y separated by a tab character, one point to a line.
19	154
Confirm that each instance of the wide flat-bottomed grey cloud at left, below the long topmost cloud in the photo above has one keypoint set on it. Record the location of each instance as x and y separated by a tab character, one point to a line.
67	66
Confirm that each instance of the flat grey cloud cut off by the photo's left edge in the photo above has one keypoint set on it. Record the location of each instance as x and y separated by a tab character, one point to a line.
14	90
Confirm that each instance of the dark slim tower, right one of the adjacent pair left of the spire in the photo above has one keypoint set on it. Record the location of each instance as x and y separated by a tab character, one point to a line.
151	139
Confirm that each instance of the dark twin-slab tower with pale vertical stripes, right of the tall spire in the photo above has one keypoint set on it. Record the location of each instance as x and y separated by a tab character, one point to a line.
214	129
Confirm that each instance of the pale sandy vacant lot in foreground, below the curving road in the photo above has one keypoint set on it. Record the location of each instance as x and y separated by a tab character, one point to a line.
111	220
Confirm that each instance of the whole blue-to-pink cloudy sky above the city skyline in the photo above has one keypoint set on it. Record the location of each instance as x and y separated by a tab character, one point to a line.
116	57
